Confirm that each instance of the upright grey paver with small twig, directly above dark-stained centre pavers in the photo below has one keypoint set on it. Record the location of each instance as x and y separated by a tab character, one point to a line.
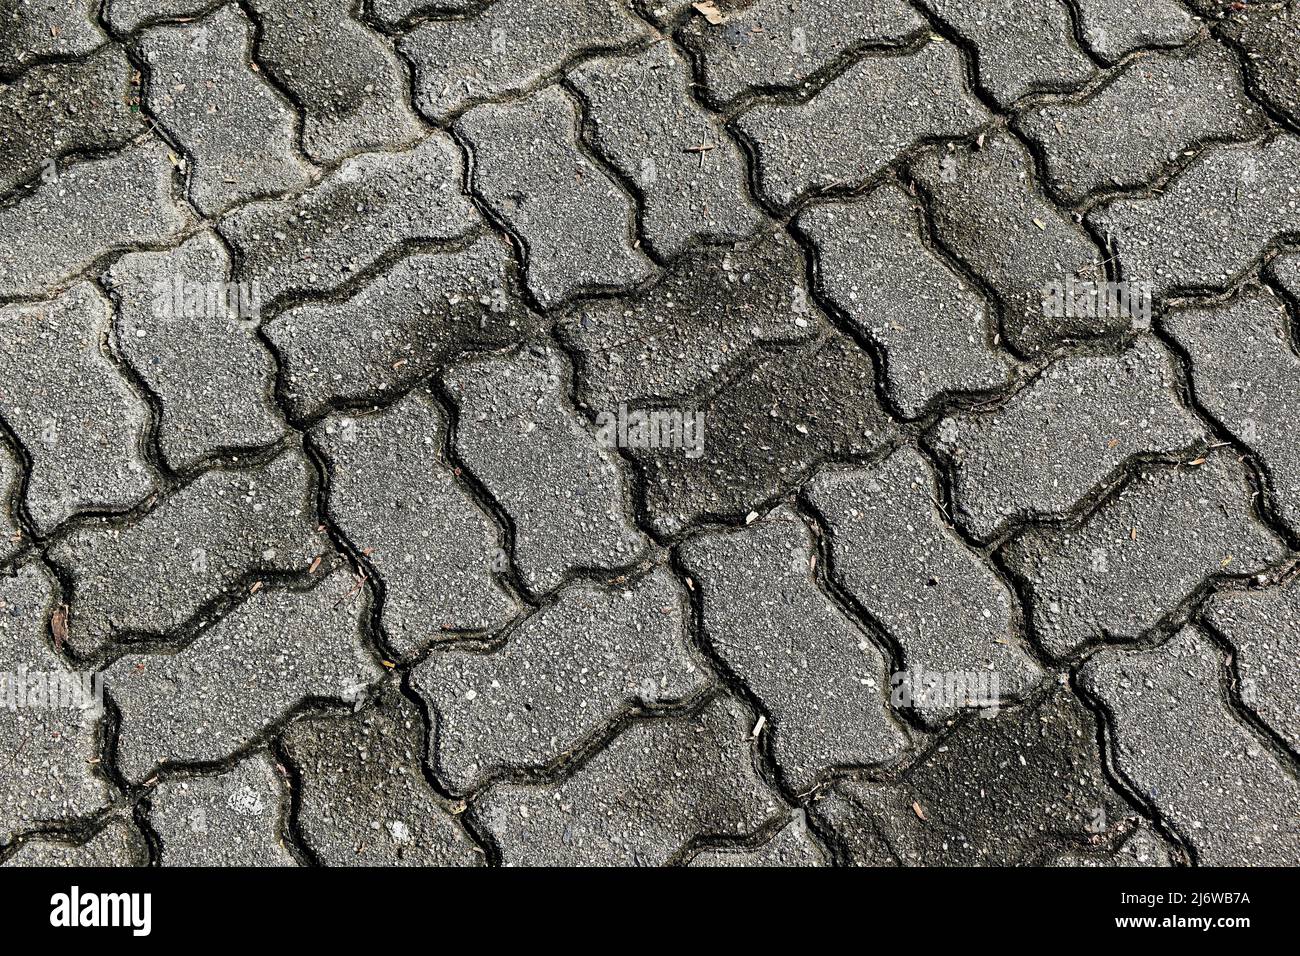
690	174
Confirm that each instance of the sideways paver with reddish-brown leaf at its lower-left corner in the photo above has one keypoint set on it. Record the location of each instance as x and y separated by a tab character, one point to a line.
157	574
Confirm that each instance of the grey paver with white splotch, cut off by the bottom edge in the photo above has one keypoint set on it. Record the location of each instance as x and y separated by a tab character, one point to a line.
232	819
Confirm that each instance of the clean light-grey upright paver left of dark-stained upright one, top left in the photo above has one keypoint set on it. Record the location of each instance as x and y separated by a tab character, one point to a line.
232	123
